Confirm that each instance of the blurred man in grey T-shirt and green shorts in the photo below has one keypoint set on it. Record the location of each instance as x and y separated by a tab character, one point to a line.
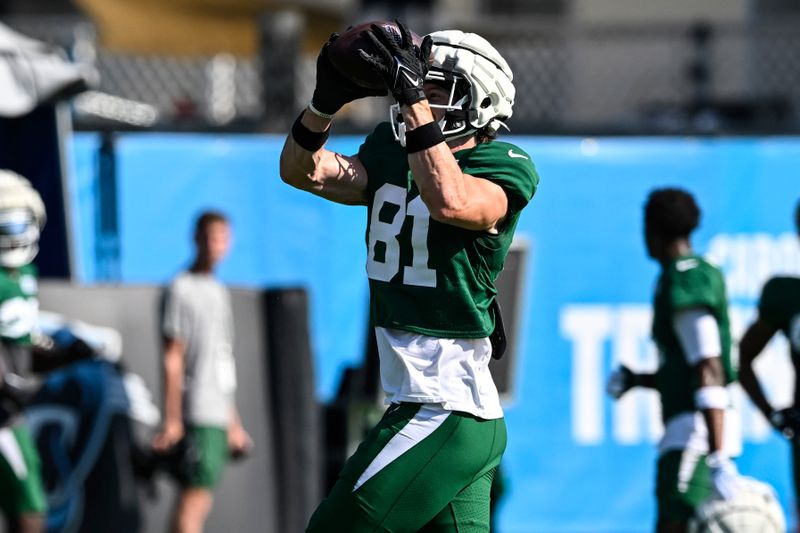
200	376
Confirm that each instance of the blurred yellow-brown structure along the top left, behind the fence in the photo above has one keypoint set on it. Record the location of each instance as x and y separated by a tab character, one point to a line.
196	27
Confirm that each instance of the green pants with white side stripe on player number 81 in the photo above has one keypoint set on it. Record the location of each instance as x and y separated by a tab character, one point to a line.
420	469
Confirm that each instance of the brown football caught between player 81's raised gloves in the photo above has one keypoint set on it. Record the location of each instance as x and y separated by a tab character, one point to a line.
345	57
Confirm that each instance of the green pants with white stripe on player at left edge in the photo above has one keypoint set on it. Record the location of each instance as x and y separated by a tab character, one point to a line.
21	489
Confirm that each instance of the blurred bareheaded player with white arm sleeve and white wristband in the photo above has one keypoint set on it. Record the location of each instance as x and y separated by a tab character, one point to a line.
692	334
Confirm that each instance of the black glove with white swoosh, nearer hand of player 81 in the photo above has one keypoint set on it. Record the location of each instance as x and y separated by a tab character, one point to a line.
402	64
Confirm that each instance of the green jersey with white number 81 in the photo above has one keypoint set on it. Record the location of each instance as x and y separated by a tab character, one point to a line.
425	276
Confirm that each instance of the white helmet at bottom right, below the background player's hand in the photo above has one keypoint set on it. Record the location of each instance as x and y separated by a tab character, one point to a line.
753	508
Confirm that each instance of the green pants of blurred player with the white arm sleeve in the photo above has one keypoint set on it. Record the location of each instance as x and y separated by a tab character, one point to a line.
683	481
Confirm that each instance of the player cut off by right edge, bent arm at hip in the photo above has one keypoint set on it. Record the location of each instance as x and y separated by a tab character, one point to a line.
778	310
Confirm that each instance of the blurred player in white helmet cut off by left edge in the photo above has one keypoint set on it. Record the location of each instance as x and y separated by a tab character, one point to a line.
22	215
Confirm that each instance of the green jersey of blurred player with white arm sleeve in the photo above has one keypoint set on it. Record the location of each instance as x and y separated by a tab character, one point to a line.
686	283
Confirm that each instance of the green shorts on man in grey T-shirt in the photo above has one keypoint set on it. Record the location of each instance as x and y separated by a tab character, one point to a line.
206	456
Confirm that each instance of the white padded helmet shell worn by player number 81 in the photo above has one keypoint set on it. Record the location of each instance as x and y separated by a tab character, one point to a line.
490	78
